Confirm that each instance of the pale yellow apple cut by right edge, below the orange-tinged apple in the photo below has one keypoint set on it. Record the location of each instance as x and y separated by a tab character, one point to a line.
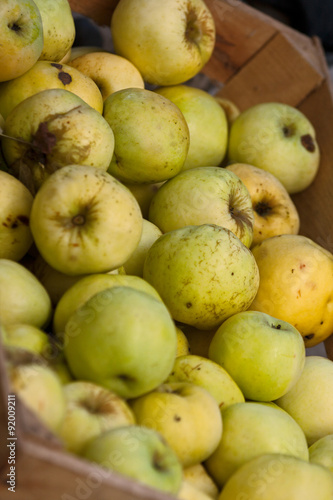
310	400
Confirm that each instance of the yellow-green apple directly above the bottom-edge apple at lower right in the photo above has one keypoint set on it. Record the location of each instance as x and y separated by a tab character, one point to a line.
251	429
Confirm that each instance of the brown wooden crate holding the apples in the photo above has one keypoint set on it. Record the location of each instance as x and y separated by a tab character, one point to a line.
256	59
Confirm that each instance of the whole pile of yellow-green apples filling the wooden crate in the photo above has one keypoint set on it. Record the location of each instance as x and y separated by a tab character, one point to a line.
156	297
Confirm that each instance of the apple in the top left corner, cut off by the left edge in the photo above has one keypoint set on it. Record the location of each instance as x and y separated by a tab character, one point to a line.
21	37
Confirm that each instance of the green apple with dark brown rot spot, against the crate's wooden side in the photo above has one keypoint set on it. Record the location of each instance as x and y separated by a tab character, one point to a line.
278	138
